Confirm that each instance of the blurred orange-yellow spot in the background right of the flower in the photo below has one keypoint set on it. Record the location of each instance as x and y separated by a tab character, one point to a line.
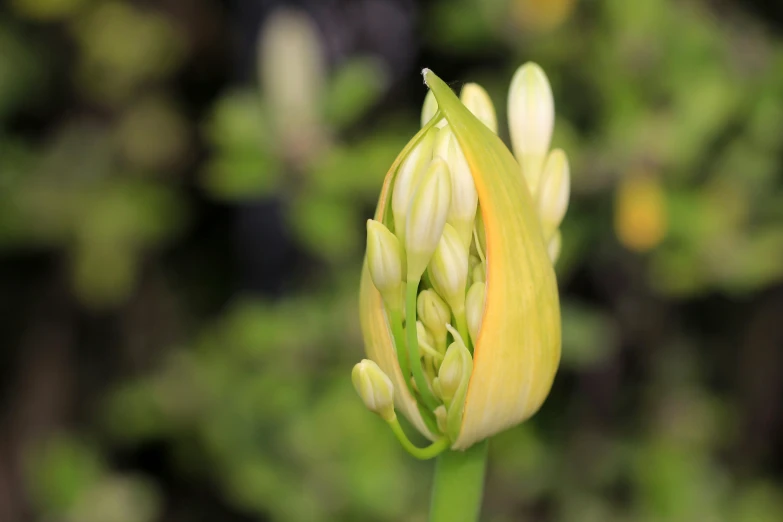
640	219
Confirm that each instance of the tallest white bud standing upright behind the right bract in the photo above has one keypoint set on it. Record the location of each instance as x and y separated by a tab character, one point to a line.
531	118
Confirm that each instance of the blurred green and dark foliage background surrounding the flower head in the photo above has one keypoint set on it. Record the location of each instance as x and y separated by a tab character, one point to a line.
183	191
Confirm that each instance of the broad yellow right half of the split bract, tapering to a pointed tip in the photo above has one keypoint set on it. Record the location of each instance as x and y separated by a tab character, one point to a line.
518	349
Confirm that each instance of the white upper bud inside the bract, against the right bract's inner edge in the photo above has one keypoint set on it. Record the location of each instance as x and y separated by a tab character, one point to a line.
464	198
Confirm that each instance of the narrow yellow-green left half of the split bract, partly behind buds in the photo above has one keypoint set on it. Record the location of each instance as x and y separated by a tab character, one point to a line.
378	340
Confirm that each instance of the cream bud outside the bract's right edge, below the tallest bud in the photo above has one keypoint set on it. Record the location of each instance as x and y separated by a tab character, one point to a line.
554	192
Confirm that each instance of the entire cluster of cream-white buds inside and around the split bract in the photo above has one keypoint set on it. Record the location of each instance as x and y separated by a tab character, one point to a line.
427	257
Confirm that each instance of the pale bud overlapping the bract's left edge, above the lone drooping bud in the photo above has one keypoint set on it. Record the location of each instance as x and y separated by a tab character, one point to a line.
384	261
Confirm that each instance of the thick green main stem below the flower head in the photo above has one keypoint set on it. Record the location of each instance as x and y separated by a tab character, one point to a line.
458	485
